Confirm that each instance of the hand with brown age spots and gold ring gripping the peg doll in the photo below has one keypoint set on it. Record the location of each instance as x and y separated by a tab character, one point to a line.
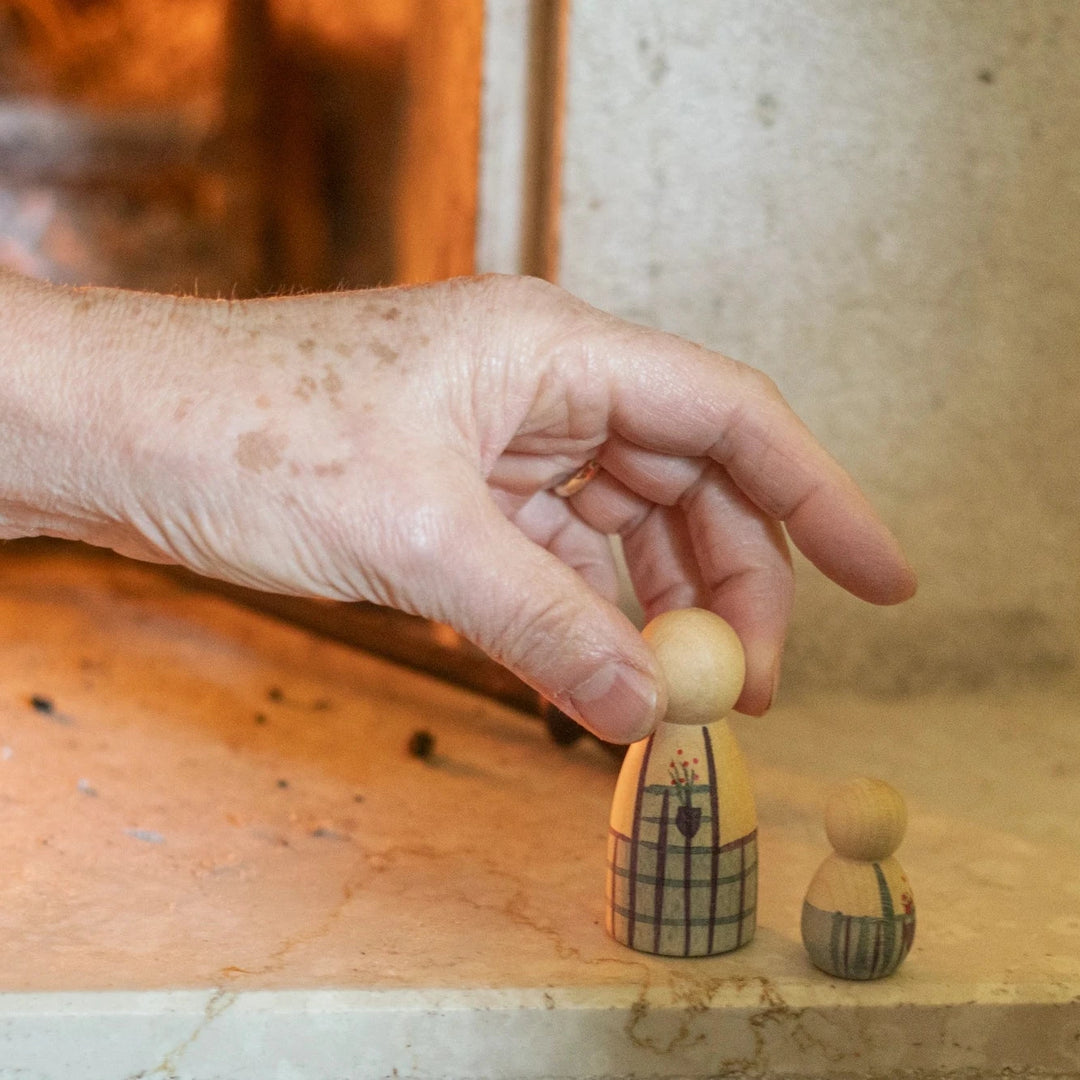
400	447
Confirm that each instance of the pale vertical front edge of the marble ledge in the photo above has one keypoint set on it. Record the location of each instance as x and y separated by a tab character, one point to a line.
317	1035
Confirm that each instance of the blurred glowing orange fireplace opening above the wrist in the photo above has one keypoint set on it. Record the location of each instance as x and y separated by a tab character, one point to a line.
233	147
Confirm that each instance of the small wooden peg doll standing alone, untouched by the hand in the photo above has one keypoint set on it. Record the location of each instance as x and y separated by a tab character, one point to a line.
859	913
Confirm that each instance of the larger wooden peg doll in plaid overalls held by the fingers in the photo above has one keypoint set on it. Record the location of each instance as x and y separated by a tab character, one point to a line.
682	875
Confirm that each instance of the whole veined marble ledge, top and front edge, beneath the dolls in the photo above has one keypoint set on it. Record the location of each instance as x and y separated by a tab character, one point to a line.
222	862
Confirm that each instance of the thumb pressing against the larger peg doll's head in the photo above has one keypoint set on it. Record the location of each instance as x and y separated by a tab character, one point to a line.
535	615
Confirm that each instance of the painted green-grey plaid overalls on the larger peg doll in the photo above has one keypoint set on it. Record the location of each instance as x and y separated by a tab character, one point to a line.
673	889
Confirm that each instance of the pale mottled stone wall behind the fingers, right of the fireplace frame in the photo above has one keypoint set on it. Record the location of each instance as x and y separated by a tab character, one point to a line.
880	206
